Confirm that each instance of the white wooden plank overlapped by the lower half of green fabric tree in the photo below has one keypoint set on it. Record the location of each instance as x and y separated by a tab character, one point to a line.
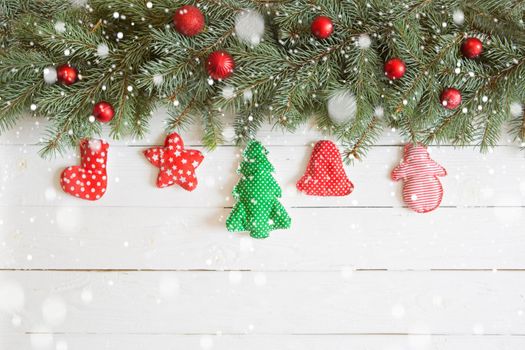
337	239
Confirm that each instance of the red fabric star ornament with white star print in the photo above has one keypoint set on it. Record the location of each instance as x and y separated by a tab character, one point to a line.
177	165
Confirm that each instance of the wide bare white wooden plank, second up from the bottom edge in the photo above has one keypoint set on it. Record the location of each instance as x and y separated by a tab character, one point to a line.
465	303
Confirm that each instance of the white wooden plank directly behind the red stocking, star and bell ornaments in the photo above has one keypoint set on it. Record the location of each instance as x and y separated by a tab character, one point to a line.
493	179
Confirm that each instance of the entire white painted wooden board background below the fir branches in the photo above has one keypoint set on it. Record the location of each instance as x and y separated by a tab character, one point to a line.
146	268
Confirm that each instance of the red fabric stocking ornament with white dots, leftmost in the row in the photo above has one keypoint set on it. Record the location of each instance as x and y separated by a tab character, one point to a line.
88	180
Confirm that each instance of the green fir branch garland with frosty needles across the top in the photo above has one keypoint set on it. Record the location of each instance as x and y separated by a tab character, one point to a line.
289	75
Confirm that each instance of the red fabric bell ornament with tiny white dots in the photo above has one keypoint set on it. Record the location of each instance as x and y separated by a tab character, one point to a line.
325	174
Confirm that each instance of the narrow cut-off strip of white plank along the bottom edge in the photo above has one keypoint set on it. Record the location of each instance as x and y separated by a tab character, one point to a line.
261	342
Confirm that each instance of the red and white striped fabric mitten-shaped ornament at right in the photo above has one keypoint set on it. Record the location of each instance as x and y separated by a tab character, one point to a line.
422	190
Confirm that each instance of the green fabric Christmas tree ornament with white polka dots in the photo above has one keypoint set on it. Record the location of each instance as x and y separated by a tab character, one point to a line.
257	209
